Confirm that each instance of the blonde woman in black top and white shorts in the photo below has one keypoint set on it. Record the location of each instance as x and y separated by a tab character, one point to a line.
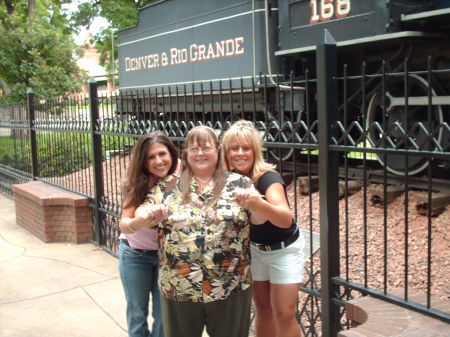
276	244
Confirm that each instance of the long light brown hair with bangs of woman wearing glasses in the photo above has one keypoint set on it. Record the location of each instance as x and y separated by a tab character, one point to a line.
201	135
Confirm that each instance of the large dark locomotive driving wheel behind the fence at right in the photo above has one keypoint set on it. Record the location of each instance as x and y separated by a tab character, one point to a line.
398	122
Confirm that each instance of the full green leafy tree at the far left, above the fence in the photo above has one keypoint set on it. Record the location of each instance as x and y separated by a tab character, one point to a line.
37	49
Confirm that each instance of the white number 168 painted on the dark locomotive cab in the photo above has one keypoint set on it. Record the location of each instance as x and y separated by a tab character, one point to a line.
325	10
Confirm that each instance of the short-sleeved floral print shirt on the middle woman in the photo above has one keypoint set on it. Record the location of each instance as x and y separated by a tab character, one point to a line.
204	251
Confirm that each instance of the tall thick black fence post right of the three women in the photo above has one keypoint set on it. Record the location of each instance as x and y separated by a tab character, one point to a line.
326	57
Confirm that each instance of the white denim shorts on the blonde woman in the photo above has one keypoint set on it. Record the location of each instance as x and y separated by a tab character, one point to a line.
280	266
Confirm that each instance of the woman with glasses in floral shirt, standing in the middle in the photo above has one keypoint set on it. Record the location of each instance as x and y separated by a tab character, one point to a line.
204	271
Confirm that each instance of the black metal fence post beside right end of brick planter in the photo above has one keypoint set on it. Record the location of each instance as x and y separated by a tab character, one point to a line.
97	159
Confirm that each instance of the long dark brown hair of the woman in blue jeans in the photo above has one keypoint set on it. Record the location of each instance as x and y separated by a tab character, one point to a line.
136	183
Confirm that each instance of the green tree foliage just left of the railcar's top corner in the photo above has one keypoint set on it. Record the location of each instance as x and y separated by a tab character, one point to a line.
119	13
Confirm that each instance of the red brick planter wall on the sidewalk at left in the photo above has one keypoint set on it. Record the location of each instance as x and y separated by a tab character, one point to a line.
53	214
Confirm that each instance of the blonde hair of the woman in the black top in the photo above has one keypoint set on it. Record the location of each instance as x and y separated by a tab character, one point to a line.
241	132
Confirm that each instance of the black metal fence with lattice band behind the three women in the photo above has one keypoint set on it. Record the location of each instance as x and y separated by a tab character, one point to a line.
346	146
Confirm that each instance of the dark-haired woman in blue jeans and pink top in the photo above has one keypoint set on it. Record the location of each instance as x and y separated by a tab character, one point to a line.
154	157
